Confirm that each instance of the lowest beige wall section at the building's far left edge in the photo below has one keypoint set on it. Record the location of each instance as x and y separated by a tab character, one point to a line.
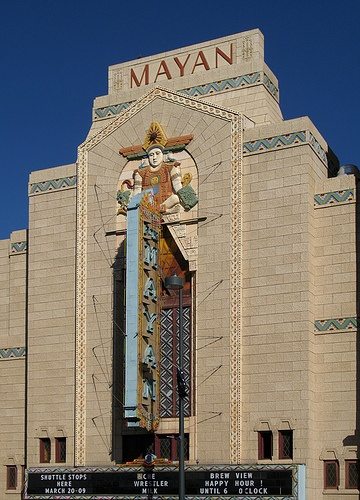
12	356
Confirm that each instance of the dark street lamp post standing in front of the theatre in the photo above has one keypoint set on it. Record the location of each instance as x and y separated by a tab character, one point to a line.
176	283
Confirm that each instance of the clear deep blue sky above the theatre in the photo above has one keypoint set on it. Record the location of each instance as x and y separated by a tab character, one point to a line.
54	56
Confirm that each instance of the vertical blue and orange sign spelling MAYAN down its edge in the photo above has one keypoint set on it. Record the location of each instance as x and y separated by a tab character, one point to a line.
142	313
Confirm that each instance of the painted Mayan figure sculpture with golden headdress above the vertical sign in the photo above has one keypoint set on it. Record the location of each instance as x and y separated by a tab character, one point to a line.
163	178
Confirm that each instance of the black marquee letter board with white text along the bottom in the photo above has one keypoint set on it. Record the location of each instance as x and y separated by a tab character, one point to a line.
222	482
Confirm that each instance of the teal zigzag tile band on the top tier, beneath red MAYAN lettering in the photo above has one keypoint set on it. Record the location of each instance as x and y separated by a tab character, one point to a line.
202	90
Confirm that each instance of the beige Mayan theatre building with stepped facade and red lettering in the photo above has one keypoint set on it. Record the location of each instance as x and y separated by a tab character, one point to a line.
188	169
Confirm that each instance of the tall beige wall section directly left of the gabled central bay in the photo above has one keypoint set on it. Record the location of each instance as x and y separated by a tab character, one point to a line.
51	310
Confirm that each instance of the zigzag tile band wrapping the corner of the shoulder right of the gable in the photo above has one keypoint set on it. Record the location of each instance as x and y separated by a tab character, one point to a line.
285	141
